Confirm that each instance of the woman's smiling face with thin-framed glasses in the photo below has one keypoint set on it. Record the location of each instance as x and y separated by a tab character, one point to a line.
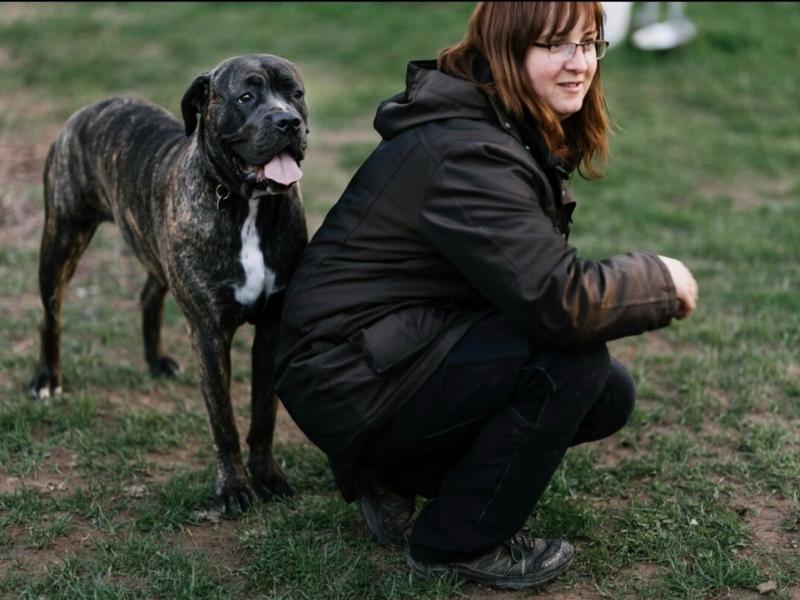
560	84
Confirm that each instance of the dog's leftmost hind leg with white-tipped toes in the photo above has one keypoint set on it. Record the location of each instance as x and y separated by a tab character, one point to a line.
63	242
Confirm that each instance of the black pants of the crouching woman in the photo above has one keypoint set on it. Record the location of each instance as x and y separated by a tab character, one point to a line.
486	432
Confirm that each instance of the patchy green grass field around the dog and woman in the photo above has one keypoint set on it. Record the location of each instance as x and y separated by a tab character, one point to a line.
106	492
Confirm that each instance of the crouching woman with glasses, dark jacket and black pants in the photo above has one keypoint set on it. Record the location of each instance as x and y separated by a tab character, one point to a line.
440	337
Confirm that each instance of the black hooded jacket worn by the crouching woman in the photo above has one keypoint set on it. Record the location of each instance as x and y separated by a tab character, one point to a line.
456	214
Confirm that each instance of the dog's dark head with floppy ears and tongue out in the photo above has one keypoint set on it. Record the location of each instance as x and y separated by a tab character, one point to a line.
253	120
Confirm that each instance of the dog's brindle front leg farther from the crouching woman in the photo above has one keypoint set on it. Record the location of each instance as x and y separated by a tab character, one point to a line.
213	358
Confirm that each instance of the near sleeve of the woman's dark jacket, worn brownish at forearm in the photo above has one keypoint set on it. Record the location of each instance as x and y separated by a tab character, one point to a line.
482	212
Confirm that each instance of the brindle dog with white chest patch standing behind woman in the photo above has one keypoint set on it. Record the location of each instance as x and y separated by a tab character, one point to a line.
212	208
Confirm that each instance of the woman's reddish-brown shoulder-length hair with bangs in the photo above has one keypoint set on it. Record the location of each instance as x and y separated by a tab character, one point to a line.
502	33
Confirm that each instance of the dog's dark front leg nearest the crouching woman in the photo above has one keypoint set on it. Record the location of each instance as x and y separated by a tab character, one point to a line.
268	478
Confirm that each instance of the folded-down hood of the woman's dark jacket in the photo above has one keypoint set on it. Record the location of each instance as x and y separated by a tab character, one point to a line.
430	96
